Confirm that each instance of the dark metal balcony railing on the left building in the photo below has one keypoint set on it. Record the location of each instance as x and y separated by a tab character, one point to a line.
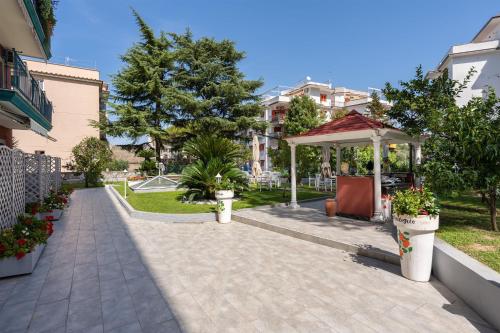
16	76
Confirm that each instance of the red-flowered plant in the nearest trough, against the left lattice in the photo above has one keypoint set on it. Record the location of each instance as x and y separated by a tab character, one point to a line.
22	244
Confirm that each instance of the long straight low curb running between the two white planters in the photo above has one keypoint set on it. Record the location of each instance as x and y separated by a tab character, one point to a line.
366	252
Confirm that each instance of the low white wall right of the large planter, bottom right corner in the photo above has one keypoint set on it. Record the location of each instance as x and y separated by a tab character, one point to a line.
475	283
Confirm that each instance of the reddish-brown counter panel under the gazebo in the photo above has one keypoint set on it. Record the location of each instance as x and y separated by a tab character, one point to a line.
355	196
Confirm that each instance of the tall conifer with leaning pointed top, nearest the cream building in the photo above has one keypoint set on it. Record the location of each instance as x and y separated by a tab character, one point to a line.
145	95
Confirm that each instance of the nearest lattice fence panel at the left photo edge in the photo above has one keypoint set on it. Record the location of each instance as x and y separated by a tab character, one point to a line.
12	199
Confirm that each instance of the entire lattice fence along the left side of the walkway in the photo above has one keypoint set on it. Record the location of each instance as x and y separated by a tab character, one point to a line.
25	178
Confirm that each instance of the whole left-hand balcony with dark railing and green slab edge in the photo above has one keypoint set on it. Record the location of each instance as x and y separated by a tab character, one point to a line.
21	94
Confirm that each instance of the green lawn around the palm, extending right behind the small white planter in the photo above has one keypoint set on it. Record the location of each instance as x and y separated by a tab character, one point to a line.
170	202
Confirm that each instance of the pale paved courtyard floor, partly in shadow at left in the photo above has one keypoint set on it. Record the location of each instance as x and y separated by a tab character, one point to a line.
102	271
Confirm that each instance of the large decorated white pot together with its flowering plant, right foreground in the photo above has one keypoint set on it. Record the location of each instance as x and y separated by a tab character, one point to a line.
416	215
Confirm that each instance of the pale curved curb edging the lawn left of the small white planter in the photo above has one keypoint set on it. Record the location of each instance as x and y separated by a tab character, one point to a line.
168	218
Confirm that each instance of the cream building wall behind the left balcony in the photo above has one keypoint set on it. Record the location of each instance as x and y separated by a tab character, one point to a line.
77	96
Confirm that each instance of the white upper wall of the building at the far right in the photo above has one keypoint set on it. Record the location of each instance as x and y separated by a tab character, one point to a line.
487	68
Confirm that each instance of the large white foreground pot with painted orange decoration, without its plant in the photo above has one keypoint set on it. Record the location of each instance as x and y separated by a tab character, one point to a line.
416	242
